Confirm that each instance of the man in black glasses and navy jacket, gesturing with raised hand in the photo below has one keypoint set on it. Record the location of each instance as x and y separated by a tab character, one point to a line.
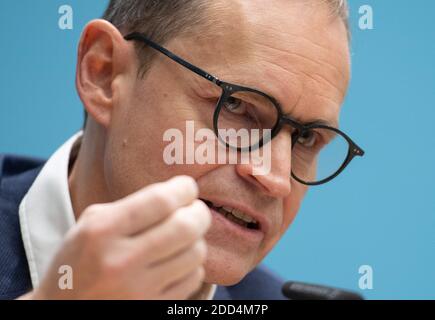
110	210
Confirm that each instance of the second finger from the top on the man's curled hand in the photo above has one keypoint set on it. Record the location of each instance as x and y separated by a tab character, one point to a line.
176	234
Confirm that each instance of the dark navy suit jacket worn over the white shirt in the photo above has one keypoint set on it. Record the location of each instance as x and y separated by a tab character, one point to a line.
16	177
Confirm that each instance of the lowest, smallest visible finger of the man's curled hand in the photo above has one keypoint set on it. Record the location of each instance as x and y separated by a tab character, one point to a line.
186	287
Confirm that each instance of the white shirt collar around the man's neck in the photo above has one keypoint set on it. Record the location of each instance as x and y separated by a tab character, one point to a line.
46	213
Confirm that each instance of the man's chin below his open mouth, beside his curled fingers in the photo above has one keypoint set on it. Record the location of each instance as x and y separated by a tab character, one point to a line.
225	267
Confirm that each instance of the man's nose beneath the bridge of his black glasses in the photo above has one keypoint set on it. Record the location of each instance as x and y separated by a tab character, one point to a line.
276	182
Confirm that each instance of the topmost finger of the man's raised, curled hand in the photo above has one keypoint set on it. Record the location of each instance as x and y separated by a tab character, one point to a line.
153	204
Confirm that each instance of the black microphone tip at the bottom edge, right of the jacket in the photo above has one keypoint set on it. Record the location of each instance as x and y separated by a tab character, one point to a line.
305	291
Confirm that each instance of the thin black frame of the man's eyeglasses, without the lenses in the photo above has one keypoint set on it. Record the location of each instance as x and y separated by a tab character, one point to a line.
228	89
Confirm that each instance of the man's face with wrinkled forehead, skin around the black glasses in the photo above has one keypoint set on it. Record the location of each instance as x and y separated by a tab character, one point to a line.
291	50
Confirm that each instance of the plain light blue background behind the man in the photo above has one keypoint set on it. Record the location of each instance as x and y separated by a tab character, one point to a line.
380	213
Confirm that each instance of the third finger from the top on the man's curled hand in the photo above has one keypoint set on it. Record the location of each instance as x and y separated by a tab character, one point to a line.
175	269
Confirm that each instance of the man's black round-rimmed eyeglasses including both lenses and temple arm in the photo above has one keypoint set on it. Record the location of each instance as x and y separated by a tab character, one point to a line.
319	152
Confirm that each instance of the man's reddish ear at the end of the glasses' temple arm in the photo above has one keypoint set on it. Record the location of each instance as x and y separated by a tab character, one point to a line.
103	56
